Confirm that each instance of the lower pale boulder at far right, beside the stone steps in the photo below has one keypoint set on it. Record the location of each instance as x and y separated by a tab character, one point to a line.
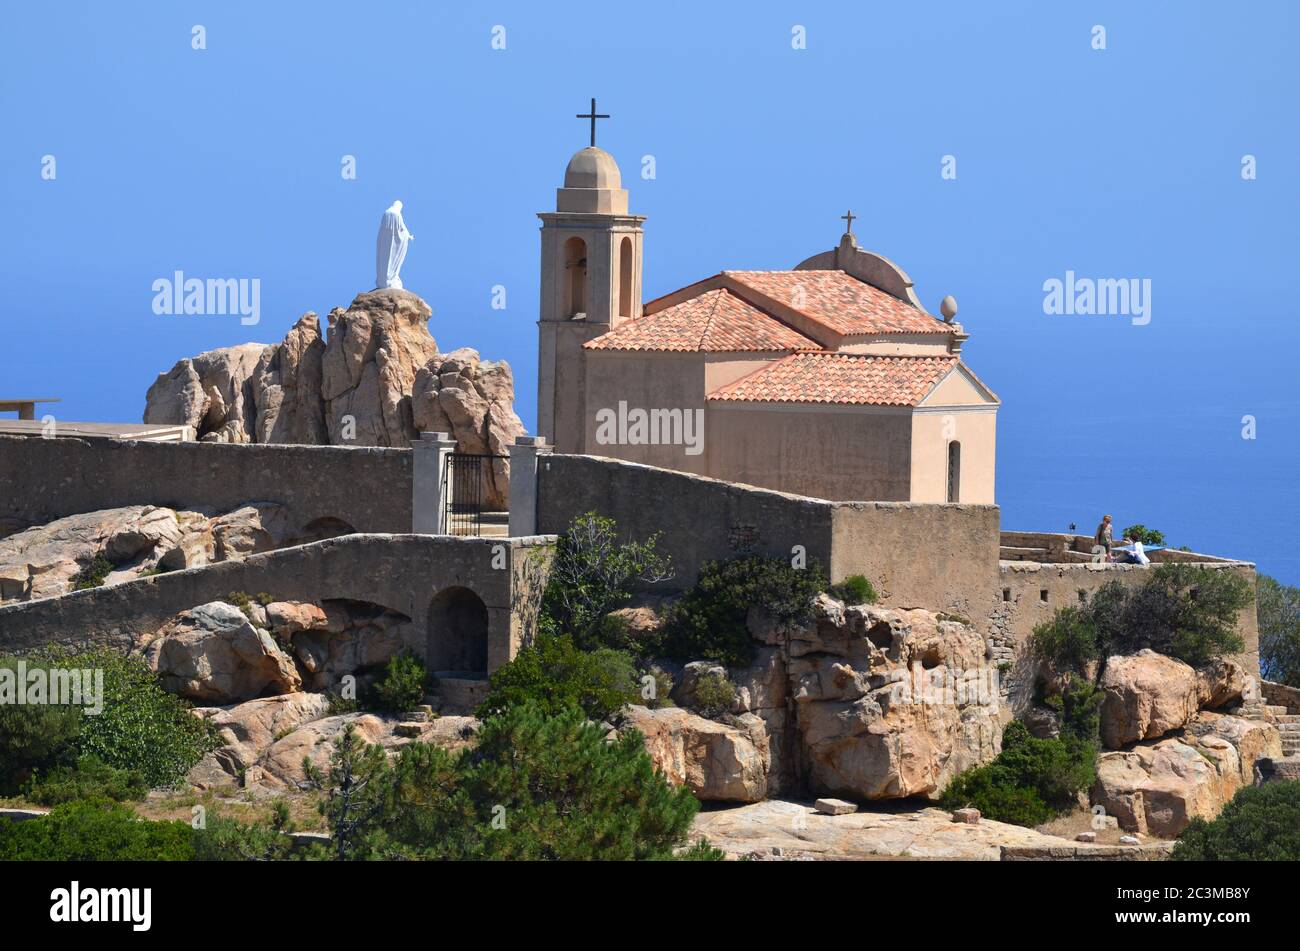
1159	787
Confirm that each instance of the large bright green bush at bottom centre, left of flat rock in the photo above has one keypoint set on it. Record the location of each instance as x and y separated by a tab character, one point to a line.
535	788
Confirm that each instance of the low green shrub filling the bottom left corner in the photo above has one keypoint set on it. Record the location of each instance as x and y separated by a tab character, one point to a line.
96	831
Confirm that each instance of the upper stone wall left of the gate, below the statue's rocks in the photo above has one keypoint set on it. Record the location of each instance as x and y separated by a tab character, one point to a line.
367	489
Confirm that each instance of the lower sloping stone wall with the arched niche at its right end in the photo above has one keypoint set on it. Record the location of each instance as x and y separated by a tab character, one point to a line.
404	574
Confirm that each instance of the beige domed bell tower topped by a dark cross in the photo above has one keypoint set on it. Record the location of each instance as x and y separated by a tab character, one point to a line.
591	285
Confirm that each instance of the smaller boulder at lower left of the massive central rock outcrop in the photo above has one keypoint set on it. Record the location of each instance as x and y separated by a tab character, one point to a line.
714	761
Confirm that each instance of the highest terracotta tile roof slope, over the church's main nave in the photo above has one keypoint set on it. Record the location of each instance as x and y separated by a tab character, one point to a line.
840	302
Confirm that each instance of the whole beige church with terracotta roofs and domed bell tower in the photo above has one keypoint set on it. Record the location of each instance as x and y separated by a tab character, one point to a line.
829	380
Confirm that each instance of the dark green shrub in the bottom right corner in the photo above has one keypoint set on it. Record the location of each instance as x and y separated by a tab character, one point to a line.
1262	824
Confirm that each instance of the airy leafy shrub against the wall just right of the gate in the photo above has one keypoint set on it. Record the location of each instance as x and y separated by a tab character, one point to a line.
593	574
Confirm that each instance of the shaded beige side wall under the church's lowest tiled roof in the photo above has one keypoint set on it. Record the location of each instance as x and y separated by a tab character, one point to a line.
827	453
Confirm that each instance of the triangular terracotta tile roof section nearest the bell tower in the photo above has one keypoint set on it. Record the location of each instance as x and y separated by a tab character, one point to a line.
716	322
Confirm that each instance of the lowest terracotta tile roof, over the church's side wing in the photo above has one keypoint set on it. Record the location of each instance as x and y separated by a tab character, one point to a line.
851	379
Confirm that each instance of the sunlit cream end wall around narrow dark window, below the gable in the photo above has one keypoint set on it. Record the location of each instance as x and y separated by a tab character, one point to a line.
976	428
